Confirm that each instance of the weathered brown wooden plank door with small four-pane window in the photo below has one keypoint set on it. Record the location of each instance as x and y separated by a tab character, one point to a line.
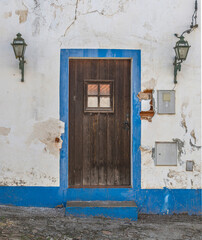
99	123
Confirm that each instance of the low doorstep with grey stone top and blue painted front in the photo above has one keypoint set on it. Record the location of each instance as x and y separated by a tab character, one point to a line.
110	209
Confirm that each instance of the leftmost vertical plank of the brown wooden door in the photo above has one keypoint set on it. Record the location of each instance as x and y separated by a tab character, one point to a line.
71	160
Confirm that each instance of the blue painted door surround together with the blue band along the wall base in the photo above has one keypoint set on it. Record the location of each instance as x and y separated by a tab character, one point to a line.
156	201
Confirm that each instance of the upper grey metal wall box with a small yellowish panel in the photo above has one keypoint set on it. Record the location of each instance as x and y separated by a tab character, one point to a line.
165	101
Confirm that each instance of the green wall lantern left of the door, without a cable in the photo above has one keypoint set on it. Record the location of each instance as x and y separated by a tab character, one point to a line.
19	47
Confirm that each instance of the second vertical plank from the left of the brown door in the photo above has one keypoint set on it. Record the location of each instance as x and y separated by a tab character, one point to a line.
78	125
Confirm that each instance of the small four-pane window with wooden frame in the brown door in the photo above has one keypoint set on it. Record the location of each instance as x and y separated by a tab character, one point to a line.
98	96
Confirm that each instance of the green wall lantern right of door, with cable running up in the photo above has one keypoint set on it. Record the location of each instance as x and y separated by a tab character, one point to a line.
182	47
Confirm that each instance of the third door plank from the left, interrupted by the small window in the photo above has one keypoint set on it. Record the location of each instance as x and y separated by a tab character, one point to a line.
86	132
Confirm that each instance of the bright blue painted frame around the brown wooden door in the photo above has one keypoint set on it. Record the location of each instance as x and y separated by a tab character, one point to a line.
102	193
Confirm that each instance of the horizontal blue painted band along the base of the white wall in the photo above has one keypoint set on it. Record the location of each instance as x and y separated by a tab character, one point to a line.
153	201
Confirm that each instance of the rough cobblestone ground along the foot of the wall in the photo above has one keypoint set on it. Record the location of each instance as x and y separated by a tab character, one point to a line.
18	223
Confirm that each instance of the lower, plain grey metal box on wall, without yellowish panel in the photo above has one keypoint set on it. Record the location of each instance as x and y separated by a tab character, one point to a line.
165	153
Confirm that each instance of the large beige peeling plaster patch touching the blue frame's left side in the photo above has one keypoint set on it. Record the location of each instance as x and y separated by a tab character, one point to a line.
49	133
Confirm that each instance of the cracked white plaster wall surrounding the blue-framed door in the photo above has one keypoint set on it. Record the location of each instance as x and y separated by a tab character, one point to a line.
29	122
